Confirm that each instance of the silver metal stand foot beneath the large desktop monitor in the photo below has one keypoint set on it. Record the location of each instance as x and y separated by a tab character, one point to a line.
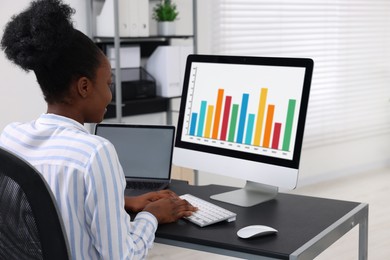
253	193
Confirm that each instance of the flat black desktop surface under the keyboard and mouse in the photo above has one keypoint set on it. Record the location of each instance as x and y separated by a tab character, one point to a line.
297	218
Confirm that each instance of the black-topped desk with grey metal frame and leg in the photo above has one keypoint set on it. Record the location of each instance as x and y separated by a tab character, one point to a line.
306	225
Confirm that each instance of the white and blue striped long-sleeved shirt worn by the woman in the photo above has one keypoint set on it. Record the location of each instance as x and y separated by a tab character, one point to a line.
87	181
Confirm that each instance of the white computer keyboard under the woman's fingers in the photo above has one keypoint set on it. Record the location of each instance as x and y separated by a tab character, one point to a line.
207	213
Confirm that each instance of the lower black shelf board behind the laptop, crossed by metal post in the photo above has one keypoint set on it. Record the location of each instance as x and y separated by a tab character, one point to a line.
139	107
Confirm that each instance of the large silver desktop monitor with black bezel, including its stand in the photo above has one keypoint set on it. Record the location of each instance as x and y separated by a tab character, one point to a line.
244	117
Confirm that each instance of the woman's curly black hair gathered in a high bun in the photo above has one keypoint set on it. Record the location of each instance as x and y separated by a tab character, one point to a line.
42	39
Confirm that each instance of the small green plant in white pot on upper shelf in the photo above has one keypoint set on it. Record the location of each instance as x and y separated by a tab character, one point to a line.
165	13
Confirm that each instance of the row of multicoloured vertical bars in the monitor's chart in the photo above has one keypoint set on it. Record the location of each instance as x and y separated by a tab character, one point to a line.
232	122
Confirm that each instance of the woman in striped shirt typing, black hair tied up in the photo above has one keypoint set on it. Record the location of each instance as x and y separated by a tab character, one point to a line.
82	170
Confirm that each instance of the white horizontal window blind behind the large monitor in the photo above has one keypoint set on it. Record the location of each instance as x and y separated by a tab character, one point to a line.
349	41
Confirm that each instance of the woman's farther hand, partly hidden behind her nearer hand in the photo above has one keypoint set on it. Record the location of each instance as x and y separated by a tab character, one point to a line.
138	203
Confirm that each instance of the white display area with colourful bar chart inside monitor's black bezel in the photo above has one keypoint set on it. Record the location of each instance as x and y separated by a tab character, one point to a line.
244	108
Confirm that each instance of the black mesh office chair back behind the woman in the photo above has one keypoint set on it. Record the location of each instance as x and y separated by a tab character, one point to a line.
30	224
